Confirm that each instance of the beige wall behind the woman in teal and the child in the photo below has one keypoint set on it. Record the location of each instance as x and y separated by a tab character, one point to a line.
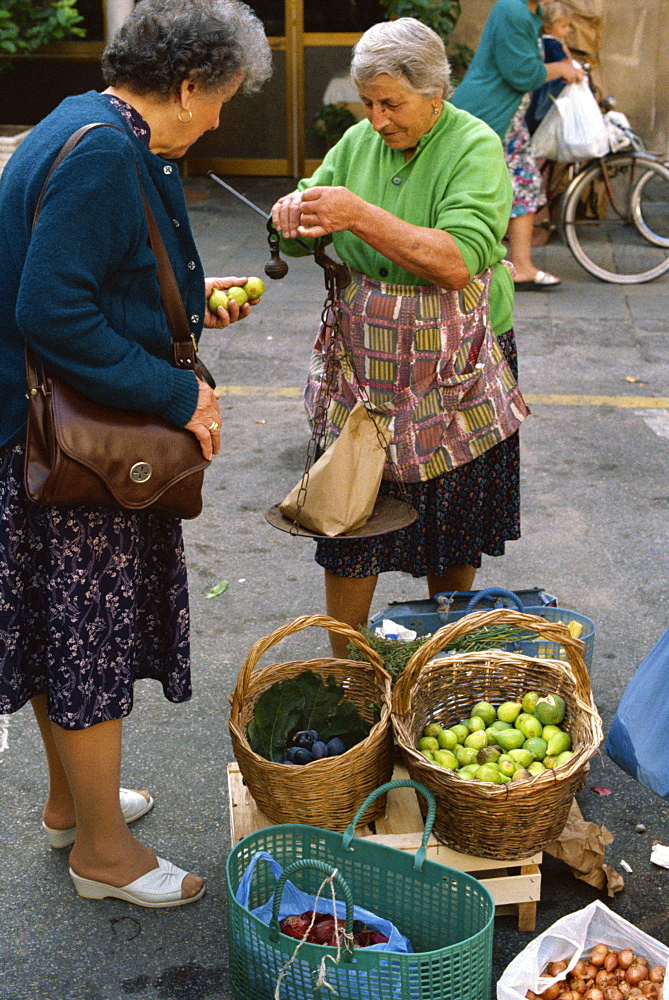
629	39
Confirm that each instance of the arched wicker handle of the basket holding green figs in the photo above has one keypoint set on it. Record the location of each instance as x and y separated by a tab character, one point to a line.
552	631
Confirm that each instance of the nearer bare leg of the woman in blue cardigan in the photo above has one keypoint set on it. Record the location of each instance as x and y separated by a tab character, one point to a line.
105	850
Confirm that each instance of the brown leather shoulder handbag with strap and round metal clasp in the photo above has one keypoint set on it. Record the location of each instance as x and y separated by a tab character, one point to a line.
79	452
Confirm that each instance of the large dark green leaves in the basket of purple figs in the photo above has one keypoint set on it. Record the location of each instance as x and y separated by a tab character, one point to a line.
303	702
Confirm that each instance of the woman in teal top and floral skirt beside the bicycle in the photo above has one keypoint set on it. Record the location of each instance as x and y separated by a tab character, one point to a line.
507	66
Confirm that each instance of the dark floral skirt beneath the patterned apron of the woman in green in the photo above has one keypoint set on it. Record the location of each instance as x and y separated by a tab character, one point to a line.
469	511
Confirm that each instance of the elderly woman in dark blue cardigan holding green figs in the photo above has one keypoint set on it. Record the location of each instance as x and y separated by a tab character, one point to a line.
93	599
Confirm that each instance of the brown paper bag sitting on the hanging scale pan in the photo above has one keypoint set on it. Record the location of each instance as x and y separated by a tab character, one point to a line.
344	482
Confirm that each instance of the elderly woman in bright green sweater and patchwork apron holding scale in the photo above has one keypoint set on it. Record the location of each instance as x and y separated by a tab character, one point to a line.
416	200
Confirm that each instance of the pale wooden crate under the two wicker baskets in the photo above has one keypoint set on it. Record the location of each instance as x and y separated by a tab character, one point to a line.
514	886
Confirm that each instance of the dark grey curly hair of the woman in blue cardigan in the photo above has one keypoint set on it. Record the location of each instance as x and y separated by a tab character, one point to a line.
164	42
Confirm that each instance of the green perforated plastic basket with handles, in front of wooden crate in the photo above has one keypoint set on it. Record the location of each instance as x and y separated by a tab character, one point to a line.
447	915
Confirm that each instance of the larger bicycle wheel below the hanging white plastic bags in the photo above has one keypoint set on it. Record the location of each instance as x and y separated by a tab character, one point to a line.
619	232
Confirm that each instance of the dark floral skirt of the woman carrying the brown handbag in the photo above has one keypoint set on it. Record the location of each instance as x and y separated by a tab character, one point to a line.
90	601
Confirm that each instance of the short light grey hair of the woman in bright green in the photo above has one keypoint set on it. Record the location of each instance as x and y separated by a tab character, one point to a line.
407	50
